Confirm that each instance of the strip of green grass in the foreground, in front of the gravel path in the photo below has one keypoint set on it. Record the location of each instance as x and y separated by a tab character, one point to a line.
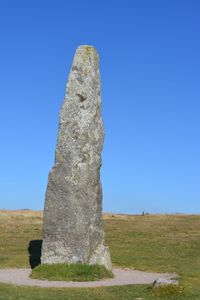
129	292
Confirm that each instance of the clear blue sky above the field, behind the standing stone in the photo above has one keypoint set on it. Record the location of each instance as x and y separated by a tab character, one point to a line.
150	69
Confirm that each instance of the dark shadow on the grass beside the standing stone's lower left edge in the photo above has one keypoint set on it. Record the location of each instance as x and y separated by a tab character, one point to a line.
34	250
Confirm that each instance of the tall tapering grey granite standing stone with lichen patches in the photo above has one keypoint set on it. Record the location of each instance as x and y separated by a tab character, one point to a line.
72	230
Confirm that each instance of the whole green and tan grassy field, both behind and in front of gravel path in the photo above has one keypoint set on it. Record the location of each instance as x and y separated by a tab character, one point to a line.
161	243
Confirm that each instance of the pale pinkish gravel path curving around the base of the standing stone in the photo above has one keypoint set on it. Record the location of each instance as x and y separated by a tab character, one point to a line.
122	277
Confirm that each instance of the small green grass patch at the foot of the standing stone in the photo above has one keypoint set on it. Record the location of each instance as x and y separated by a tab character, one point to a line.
73	272
